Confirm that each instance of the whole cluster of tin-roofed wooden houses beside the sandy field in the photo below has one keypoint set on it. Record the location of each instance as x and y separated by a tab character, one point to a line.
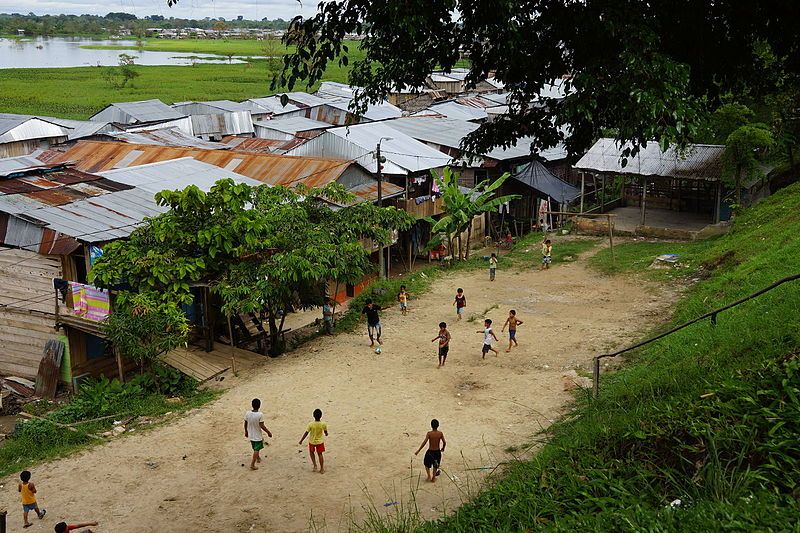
68	187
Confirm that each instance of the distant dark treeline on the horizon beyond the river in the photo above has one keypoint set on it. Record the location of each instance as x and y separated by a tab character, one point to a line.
114	23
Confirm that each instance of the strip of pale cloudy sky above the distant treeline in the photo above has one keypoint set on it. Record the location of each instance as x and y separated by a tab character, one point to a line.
190	9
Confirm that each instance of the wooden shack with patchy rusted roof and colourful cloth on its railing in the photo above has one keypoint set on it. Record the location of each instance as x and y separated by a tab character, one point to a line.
54	221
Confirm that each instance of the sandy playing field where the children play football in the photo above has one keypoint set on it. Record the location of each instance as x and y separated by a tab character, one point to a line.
190	475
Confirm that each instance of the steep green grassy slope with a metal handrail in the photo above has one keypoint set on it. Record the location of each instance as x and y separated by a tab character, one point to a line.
710	415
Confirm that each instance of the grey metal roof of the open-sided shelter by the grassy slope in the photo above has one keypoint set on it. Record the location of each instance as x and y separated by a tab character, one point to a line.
700	162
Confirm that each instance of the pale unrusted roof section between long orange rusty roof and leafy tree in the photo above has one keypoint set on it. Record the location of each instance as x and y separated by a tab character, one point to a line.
175	174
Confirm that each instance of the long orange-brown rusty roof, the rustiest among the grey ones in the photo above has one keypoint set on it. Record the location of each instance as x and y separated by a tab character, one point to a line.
97	156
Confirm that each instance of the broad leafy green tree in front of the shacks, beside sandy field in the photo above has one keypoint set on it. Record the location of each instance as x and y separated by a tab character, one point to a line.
265	250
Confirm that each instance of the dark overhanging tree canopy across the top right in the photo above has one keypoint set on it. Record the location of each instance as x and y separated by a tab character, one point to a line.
644	70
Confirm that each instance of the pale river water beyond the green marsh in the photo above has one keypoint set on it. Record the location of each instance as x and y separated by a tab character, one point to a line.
47	52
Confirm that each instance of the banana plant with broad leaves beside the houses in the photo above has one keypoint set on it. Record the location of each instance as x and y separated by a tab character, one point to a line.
462	205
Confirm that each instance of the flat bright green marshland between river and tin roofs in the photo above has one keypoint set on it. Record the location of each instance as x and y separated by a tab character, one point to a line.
80	92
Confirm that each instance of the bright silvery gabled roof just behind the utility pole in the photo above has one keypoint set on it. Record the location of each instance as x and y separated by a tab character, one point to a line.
403	154
